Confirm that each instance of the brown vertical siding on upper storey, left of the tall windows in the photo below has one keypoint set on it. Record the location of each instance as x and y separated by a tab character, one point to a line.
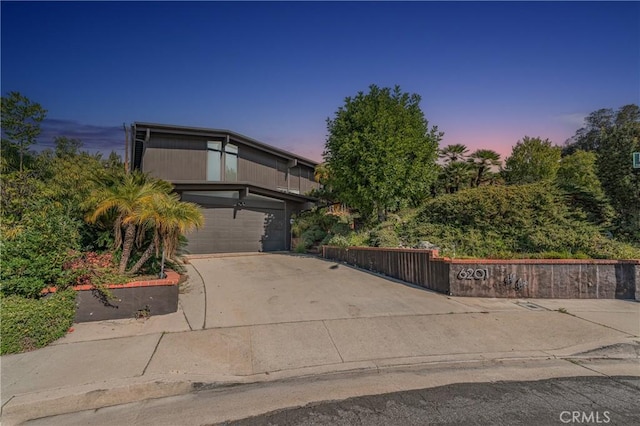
175	158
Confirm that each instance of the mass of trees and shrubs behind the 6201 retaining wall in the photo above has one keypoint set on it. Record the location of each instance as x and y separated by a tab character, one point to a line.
579	201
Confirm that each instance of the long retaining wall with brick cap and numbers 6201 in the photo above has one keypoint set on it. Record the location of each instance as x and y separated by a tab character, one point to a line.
534	278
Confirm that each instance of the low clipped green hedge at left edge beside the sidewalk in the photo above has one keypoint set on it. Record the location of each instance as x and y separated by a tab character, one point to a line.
29	324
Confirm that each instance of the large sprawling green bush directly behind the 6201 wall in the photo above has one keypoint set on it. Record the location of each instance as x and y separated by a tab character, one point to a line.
510	221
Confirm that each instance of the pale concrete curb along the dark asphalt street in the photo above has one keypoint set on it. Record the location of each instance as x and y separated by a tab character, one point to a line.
52	402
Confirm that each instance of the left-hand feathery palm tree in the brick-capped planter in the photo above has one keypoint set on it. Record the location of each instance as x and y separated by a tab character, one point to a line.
124	197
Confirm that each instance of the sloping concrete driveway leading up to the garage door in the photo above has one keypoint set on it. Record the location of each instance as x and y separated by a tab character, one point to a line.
282	288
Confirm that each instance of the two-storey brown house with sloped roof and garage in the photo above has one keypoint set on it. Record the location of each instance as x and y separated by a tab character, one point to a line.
248	190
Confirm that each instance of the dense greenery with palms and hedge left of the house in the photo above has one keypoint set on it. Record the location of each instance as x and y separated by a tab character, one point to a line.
72	218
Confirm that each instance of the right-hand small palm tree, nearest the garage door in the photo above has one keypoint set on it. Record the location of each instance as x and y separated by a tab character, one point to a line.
169	218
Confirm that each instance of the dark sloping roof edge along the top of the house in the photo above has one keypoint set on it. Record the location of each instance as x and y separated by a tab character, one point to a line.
203	131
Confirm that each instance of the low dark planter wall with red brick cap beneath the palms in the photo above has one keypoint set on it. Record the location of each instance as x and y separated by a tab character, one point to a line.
136	299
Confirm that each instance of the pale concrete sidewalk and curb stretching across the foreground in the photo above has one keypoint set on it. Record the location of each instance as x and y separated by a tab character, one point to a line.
113	362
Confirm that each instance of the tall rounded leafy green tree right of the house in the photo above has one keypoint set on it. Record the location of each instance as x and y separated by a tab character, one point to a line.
381	152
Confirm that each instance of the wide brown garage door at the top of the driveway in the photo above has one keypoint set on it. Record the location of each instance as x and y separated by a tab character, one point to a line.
229	230
